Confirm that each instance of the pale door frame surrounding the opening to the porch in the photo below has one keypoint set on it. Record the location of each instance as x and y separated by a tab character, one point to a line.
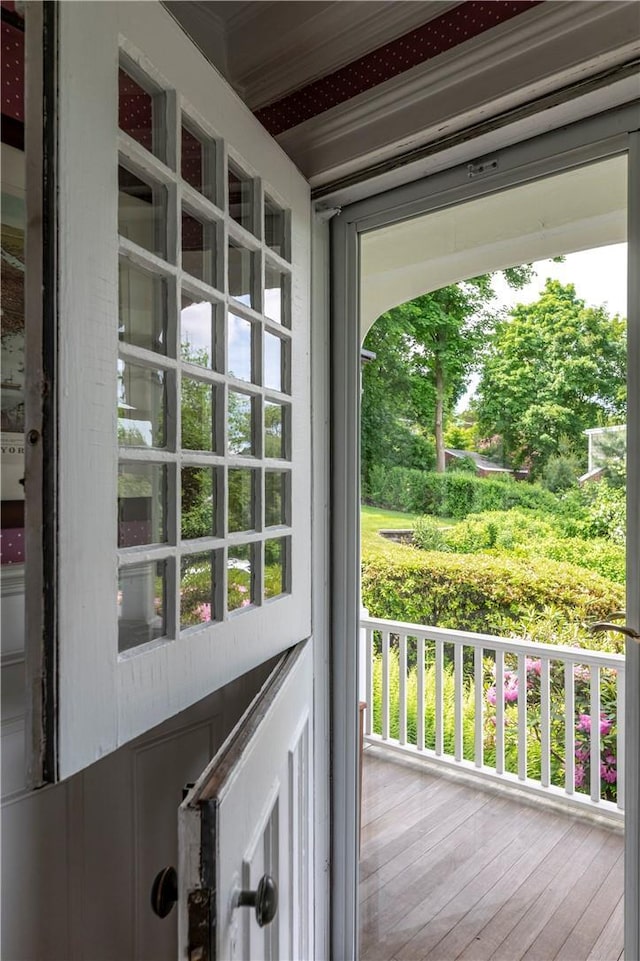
595	138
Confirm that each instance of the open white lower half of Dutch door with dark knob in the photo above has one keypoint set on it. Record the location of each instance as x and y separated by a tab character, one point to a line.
250	815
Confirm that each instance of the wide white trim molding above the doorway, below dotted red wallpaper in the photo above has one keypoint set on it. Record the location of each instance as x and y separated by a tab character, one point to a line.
544	49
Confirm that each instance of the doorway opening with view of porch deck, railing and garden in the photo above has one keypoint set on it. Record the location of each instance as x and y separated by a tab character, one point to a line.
456	680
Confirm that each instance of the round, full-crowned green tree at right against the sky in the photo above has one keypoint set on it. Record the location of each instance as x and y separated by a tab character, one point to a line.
553	368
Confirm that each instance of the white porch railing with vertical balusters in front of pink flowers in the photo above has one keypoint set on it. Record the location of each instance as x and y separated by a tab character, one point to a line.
394	636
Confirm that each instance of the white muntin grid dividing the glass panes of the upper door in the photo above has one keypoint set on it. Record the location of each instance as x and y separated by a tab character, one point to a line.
175	197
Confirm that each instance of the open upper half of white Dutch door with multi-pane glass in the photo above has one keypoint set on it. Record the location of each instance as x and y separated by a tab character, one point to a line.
179	433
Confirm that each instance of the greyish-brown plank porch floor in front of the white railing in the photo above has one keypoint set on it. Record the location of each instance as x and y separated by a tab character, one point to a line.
449	871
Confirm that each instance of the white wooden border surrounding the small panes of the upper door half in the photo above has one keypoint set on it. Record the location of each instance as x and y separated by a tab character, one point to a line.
140	689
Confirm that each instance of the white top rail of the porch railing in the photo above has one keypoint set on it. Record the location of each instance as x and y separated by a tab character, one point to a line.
561	652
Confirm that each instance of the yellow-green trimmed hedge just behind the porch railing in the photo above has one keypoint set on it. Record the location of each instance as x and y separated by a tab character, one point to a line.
480	592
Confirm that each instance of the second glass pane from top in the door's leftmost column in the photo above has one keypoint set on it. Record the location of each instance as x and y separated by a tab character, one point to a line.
142	214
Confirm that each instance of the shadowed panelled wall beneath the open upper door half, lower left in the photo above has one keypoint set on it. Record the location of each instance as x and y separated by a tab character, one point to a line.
79	857
